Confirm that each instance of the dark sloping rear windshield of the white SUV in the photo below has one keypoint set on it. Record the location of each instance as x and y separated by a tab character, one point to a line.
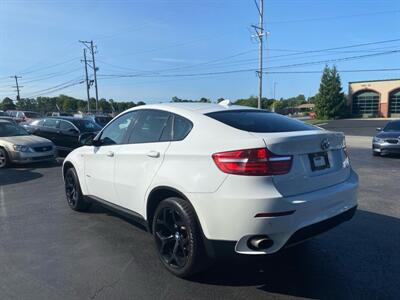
259	121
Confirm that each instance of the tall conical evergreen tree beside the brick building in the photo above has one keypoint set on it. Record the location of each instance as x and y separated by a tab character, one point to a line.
330	102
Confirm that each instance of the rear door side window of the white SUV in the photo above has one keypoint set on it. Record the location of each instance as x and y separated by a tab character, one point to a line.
150	127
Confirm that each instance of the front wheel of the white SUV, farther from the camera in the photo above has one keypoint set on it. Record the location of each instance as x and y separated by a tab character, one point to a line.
75	199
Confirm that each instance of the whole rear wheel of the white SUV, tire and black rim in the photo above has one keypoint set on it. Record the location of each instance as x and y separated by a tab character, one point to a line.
178	238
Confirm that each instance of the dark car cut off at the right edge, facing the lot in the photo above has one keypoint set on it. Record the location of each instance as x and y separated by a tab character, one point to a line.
387	140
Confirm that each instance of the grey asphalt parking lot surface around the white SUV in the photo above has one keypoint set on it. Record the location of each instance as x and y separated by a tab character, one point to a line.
48	251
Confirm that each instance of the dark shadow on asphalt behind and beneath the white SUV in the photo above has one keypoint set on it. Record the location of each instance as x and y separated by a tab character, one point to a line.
359	259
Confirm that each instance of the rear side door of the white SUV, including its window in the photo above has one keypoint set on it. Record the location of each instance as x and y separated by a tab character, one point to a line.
138	161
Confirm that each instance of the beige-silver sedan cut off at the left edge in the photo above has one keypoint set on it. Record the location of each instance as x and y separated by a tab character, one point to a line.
18	146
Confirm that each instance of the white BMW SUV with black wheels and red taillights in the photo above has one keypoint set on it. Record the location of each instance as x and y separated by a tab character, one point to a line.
213	179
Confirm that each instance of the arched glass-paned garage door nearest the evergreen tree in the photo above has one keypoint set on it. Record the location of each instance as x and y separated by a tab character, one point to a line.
366	104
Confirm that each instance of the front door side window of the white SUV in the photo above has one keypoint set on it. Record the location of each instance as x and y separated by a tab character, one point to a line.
115	132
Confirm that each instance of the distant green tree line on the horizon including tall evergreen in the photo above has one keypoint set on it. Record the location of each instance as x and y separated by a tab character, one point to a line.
330	101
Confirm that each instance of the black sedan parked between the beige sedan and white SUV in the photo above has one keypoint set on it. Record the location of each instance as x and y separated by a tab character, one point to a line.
64	132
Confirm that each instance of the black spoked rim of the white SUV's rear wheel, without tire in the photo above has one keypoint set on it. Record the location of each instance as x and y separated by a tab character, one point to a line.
172	238
